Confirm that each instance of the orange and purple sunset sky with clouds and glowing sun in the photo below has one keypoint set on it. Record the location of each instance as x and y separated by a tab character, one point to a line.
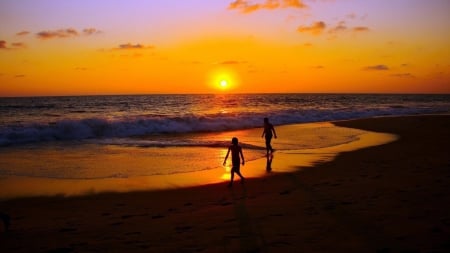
86	47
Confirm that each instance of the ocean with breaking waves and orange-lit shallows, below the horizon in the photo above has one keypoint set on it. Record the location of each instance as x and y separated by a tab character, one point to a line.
108	137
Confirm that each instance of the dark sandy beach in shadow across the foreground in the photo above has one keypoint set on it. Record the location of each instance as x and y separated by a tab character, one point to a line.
387	198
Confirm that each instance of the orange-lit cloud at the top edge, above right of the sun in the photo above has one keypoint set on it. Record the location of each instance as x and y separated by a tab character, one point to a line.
245	6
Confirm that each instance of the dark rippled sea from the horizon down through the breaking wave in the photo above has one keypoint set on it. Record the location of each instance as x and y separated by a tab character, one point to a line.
26	120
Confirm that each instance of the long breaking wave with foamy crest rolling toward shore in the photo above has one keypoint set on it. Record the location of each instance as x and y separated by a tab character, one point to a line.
101	128
